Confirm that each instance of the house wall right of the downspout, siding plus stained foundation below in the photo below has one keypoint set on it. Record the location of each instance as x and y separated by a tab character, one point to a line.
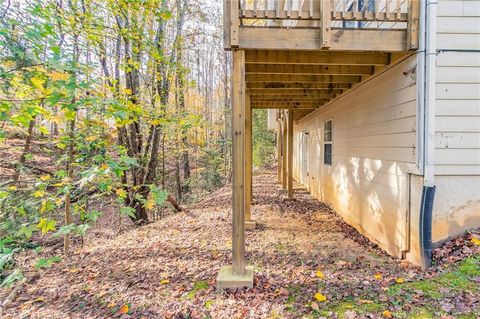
457	200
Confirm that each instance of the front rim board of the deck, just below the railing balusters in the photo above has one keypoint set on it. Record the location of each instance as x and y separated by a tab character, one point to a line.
309	39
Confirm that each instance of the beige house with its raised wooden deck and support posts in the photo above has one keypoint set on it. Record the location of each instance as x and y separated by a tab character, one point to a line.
378	112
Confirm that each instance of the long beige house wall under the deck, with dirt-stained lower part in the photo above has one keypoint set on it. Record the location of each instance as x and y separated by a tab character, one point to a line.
374	151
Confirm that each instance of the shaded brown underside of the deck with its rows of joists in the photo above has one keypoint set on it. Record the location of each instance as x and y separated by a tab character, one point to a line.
303	81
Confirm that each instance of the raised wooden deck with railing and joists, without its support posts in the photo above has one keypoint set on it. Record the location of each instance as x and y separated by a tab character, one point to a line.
301	54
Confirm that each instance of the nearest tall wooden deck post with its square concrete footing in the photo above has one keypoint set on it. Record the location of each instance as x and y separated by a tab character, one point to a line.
237	275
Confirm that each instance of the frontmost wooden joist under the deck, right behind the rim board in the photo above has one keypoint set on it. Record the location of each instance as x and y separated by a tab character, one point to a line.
317	57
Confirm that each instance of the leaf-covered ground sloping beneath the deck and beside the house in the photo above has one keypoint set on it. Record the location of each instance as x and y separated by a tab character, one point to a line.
308	264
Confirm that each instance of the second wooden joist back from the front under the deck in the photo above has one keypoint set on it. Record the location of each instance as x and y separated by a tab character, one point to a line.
309	69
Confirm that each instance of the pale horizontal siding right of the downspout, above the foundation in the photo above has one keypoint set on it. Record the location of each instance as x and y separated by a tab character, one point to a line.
458	88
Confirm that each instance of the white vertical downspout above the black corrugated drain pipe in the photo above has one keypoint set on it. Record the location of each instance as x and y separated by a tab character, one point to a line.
430	92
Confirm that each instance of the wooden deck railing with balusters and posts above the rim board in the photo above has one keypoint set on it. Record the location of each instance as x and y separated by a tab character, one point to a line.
327	15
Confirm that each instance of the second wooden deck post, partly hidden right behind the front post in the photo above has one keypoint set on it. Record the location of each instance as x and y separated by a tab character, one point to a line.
248	159
